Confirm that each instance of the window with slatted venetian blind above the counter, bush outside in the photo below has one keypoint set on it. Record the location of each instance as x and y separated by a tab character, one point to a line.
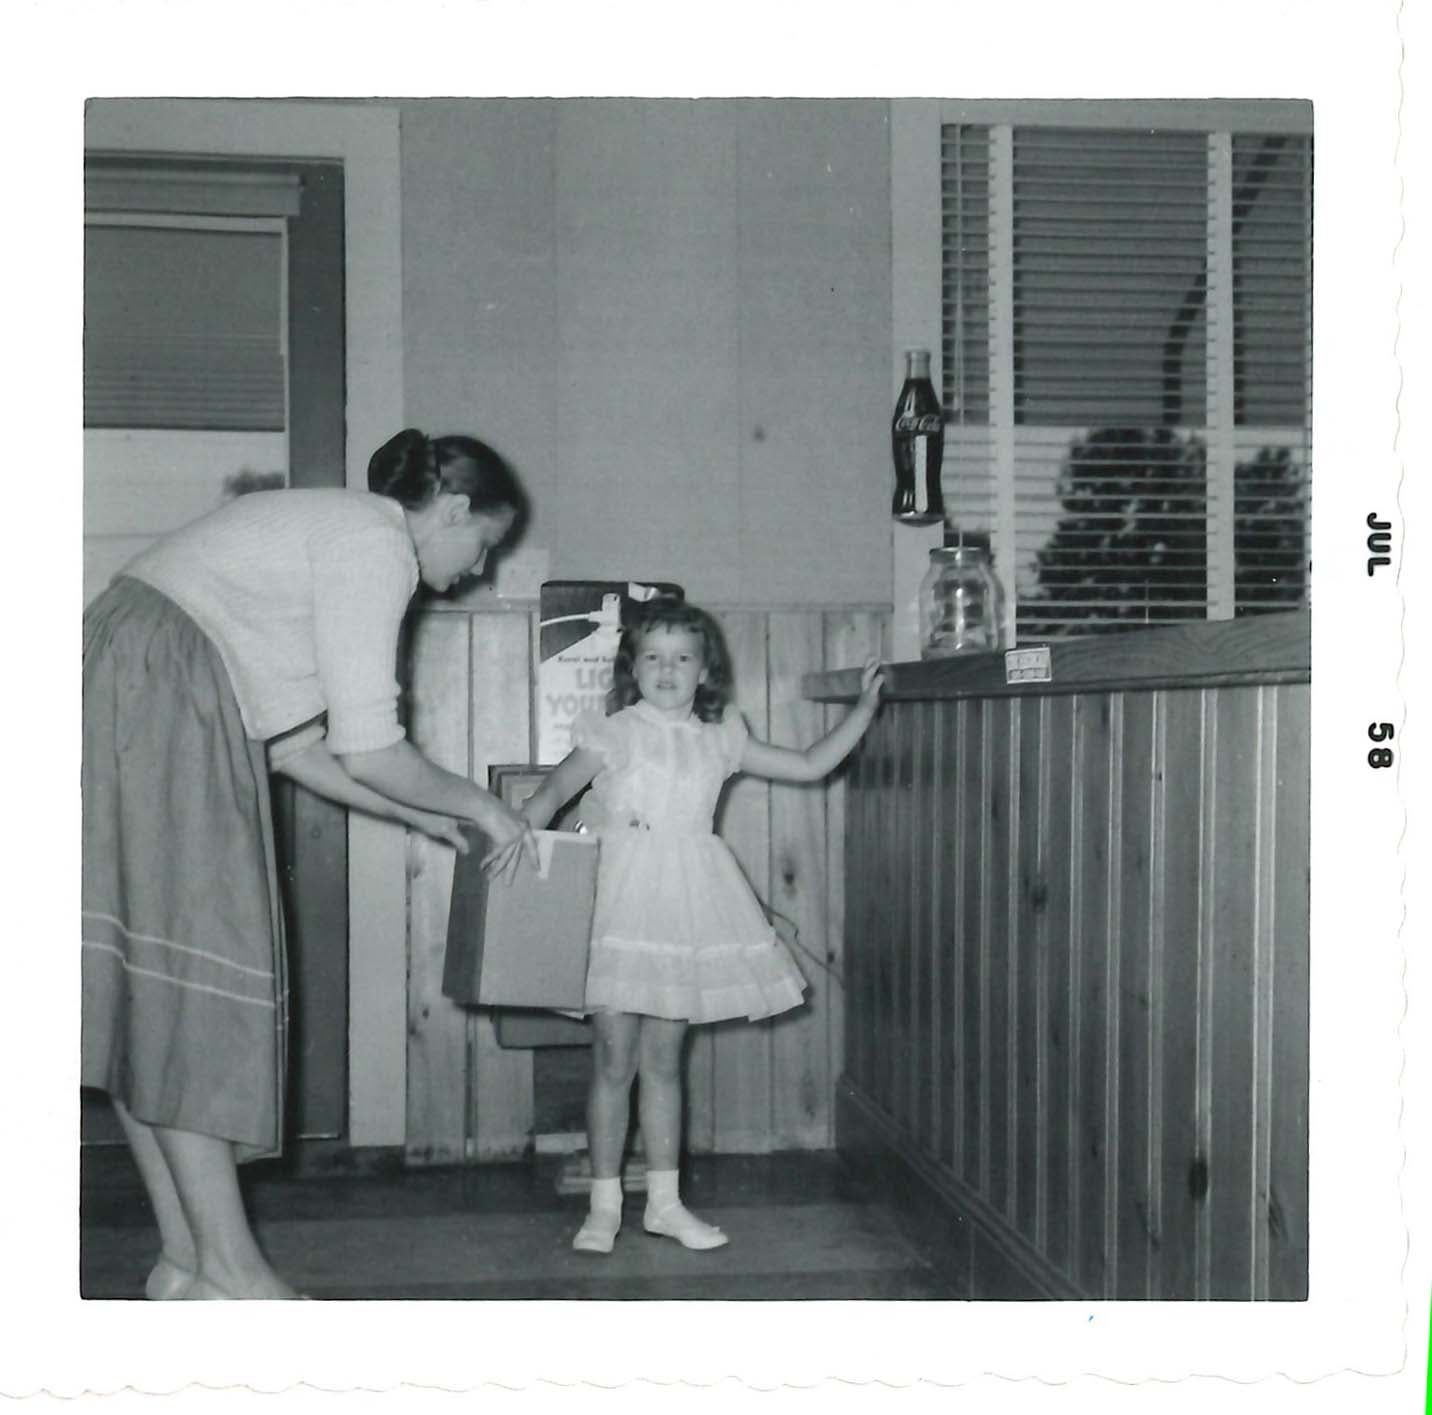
1126	366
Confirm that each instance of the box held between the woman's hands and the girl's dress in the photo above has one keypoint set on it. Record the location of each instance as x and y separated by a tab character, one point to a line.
523	943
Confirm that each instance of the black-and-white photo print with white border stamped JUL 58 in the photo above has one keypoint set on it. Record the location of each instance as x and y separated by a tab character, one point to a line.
851	559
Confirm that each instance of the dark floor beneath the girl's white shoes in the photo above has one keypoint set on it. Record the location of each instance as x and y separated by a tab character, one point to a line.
803	1227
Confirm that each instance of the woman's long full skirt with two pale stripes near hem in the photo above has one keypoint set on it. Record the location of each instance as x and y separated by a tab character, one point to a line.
185	996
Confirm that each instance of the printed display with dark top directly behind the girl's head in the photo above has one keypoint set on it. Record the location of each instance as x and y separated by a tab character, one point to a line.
579	629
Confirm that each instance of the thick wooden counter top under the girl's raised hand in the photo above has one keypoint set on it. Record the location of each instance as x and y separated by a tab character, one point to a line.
1258	649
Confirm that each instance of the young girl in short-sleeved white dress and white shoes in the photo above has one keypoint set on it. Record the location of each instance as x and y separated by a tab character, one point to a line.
678	935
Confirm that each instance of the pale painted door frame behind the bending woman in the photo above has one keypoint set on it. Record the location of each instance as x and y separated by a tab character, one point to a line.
366	140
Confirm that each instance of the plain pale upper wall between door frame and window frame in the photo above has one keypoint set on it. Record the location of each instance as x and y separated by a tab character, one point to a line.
674	317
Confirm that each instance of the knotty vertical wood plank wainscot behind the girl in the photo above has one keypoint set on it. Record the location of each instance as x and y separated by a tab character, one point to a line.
753	1088
